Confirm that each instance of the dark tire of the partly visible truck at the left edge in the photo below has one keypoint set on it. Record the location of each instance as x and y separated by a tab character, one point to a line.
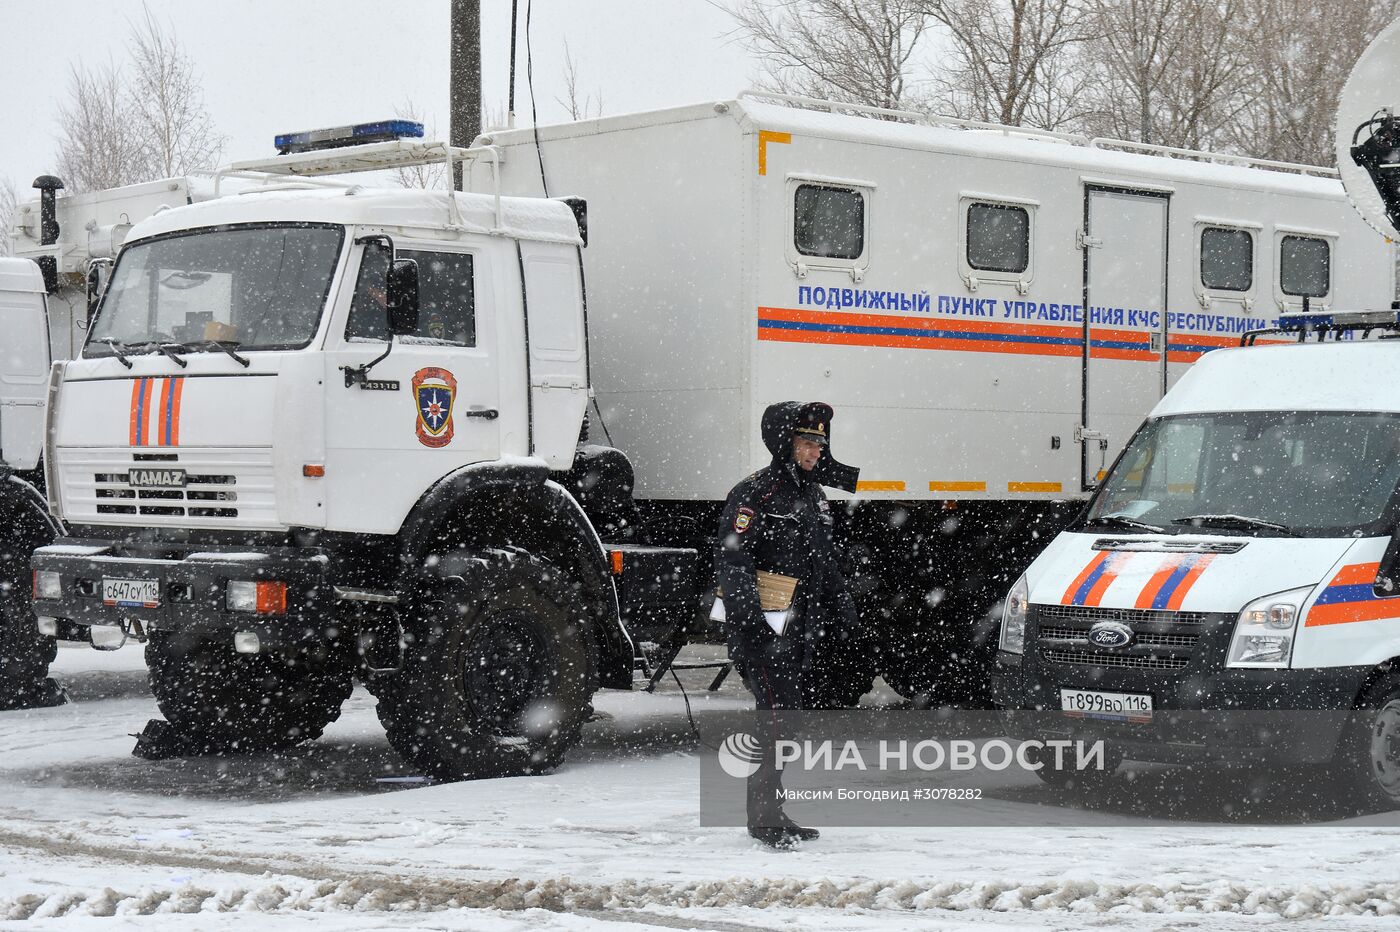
24	653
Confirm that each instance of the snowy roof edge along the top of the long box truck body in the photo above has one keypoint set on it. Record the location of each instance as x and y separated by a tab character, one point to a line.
1107	159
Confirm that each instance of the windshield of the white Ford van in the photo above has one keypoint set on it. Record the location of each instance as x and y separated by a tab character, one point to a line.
1311	474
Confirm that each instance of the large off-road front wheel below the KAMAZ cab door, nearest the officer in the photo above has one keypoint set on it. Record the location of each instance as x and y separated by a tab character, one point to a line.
496	674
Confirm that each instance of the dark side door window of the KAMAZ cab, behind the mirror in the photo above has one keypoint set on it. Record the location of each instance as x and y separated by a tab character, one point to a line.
447	300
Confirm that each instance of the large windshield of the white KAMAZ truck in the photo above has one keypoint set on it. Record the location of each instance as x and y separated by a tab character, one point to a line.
254	288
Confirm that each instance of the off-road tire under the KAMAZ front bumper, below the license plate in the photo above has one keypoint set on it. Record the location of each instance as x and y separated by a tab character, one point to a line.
220	702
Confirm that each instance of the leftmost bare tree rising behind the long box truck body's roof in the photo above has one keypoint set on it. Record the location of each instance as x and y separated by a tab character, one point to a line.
859	51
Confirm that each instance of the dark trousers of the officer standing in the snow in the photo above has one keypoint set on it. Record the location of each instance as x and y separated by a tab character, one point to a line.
776	681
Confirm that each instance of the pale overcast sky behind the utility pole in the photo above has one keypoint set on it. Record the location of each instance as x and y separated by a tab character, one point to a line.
276	66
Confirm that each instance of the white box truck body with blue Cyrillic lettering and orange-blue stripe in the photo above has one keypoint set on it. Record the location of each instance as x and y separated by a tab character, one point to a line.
929	279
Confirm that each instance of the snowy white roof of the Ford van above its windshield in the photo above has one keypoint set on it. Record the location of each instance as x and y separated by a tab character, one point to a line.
1294	377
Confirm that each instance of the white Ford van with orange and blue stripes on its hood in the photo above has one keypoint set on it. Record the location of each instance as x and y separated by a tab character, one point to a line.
1241	558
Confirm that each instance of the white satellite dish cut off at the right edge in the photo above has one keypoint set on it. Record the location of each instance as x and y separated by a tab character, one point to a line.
1368	134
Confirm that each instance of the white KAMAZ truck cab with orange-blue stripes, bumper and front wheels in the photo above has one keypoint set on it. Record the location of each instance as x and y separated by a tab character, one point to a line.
328	429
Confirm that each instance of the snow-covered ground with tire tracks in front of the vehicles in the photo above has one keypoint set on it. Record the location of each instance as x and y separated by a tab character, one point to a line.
92	838
